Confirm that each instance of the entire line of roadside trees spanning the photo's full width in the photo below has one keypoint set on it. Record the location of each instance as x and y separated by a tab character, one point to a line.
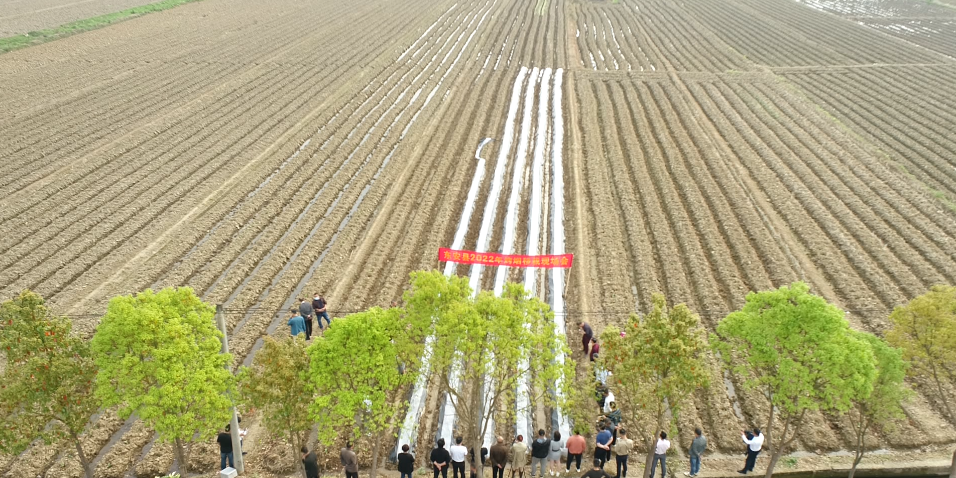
157	355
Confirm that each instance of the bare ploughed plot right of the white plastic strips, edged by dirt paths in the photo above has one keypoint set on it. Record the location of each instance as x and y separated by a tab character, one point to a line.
668	210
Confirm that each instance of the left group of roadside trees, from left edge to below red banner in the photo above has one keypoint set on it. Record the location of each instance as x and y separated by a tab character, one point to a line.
157	355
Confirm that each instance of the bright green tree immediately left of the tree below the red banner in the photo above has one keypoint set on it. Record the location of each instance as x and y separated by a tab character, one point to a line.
359	368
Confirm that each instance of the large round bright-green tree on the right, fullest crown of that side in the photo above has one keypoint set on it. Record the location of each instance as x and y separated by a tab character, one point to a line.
799	351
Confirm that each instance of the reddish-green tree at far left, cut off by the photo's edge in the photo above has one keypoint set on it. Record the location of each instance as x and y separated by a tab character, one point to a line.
46	384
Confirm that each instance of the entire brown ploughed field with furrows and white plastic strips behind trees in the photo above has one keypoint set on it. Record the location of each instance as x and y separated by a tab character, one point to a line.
259	152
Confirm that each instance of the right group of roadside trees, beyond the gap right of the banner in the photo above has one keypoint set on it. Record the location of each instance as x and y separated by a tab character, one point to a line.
795	348
